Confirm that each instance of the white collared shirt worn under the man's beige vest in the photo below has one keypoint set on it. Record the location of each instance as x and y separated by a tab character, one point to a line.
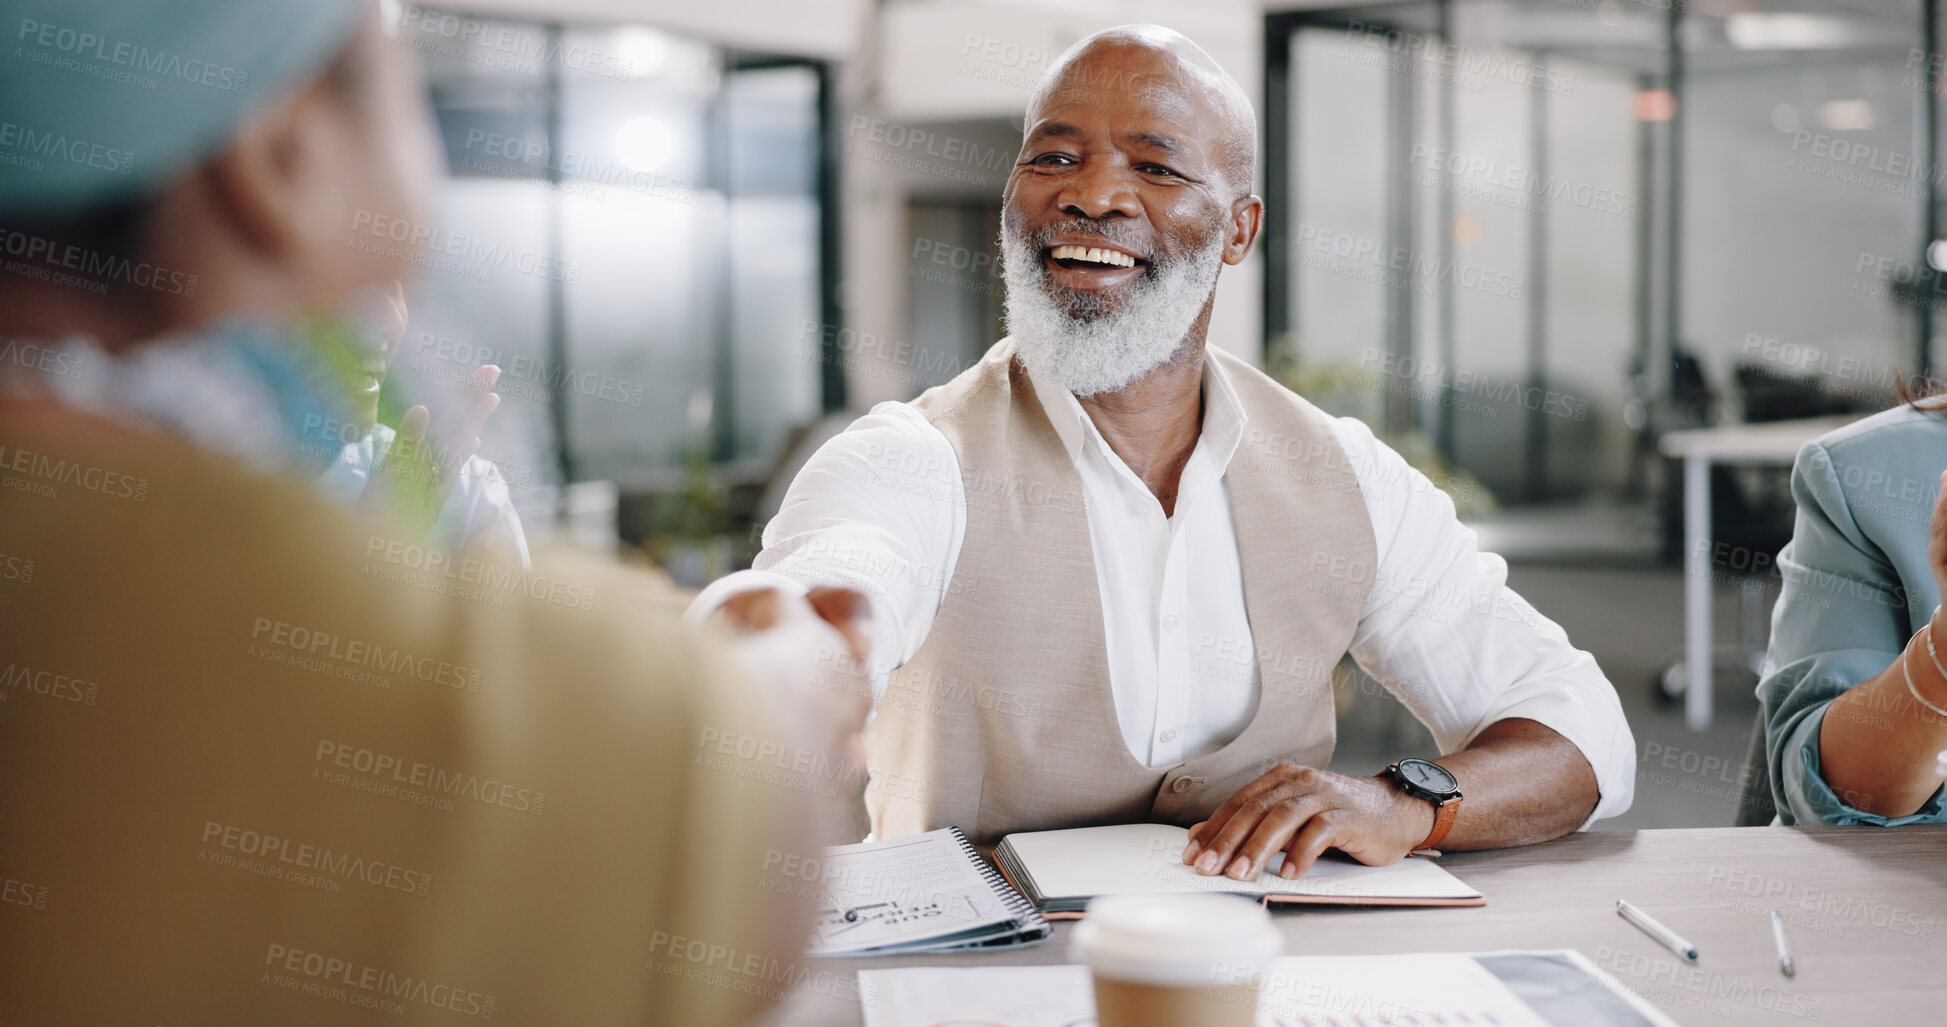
883	510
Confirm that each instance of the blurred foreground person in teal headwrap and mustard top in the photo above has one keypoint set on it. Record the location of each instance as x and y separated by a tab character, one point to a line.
264	761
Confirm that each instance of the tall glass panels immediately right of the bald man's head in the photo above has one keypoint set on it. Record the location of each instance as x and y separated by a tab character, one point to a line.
1457	229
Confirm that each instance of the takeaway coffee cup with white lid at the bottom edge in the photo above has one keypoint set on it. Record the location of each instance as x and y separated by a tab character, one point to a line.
1177	960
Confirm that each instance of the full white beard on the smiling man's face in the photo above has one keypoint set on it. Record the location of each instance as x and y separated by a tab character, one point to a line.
1068	340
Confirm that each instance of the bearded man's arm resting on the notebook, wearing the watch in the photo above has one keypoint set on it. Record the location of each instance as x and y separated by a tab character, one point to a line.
1525	722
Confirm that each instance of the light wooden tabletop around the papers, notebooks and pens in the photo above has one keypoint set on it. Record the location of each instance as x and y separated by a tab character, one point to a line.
1866	911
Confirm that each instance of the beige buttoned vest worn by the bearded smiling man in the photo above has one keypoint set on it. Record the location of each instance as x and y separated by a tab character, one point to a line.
1006	722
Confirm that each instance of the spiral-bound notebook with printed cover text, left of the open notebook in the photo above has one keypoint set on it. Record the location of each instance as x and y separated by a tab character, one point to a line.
916	895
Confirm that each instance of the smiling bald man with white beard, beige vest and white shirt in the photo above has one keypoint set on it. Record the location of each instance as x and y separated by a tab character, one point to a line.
1113	570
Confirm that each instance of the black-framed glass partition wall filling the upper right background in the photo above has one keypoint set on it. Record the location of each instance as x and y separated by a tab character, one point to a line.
1525	237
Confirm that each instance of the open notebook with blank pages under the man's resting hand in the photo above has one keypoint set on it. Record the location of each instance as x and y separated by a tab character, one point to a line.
1062	870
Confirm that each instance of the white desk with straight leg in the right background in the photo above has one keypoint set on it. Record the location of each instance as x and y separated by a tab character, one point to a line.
1775	443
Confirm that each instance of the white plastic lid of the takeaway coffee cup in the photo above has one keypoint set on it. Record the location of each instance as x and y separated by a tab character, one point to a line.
1177	940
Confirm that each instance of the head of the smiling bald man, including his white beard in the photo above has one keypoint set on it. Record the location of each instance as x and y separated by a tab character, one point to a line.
1130	196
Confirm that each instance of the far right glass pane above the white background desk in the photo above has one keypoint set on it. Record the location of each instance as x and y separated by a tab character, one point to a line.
1812	110
